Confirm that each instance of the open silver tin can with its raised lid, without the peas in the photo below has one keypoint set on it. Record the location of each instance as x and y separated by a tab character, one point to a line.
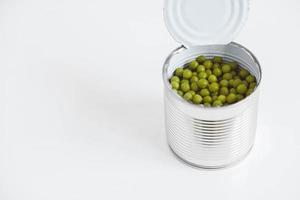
204	137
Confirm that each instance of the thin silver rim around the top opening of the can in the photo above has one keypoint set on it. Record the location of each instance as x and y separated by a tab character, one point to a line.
181	48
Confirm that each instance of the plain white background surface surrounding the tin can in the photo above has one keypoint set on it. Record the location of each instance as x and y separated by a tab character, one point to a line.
82	108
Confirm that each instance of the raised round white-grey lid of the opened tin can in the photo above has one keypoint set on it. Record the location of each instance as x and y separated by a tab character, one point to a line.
205	22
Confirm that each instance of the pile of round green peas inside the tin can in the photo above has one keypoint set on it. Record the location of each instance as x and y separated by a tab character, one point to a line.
212	82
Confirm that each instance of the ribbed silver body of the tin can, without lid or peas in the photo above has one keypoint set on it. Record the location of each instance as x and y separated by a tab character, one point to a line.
210	138
